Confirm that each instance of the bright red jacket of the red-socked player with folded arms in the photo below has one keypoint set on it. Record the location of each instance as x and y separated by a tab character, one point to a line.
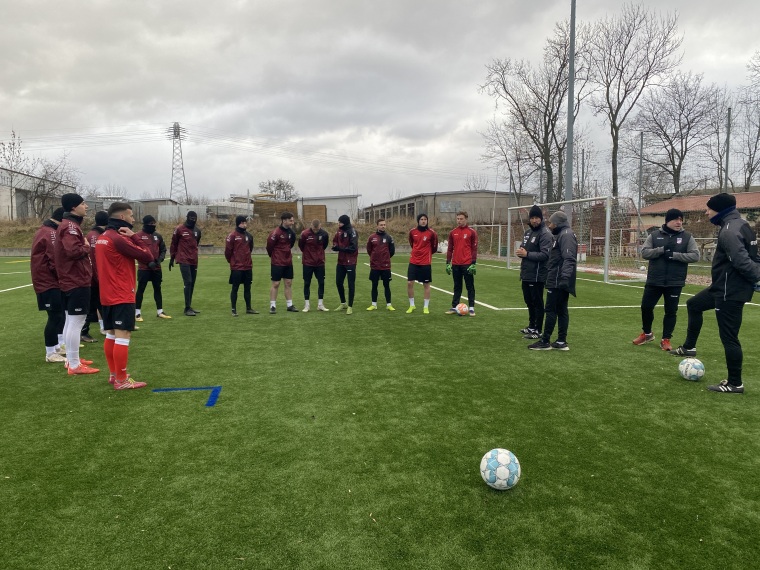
115	256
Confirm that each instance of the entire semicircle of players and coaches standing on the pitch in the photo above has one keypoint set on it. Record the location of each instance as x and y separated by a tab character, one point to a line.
75	276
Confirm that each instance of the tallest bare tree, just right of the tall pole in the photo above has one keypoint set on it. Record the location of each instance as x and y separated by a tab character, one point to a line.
629	53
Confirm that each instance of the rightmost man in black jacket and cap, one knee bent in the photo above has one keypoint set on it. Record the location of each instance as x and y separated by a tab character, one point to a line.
735	273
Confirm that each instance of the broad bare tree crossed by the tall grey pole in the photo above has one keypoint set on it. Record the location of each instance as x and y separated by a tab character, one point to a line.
535	97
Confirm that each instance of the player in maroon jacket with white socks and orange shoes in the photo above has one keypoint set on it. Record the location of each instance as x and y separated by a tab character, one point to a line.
74	269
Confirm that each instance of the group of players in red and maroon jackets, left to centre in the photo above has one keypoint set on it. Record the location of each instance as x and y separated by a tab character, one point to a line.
80	279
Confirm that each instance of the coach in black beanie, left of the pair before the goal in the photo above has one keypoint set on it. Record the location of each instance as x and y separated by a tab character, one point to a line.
534	252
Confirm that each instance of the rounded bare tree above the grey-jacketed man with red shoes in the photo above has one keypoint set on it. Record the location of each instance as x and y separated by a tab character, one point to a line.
676	121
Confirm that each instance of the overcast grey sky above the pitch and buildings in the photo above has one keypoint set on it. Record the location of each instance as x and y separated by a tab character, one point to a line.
339	97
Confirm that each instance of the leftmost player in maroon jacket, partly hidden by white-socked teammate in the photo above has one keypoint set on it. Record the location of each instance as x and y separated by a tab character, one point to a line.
45	283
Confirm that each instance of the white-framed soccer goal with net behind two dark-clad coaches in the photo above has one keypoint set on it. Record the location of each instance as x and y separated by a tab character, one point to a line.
609	242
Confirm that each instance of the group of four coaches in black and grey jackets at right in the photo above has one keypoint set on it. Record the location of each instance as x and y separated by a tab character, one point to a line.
549	261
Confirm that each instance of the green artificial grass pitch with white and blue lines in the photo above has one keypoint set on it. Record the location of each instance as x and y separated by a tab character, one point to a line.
355	441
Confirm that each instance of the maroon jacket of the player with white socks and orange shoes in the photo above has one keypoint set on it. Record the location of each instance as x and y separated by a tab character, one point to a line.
72	255
